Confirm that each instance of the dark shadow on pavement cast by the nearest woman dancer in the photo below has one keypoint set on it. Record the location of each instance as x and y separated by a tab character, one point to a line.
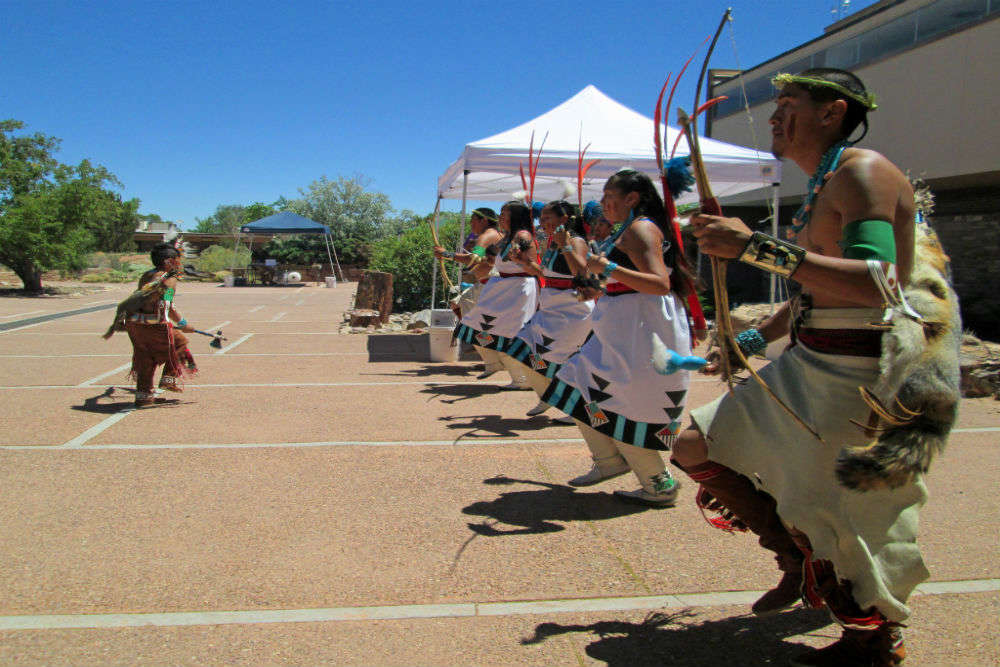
536	510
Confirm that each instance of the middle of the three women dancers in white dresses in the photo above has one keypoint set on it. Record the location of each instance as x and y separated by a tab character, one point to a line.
562	322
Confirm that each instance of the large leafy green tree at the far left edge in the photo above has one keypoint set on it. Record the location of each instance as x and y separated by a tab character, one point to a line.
52	214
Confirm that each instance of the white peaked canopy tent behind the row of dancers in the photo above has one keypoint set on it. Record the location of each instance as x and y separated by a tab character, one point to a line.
489	169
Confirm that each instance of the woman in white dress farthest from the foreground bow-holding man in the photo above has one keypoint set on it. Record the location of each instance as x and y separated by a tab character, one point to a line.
507	300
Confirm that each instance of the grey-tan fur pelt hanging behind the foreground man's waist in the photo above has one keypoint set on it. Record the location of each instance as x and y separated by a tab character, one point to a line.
917	392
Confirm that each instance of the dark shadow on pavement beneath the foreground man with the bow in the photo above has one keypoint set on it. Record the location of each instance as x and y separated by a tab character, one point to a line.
678	639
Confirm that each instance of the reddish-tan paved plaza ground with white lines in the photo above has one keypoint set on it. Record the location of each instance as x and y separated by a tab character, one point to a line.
318	498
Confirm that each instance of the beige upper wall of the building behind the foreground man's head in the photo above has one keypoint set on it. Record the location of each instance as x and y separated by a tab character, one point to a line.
936	105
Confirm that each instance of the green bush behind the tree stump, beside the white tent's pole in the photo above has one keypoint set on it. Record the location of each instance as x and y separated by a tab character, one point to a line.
409	257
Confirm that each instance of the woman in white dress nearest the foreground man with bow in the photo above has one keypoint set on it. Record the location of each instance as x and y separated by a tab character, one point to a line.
624	408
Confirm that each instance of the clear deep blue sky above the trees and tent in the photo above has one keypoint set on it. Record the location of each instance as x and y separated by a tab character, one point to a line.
195	104
